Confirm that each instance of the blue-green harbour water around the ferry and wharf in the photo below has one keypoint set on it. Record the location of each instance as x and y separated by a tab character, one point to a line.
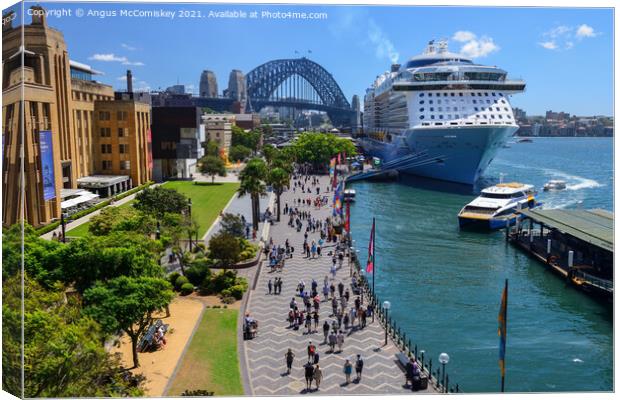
445	284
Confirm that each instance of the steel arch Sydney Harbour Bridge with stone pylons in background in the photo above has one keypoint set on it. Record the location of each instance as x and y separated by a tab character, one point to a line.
298	83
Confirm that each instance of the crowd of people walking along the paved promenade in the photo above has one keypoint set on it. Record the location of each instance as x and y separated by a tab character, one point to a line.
348	312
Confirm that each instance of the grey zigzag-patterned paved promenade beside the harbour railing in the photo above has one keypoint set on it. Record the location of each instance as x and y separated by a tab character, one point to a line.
264	355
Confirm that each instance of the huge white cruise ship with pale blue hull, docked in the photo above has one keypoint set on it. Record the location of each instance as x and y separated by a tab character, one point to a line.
439	115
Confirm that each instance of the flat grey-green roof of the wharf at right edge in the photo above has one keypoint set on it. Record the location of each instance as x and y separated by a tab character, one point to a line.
592	226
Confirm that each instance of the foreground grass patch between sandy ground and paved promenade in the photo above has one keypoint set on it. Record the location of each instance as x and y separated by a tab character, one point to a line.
210	363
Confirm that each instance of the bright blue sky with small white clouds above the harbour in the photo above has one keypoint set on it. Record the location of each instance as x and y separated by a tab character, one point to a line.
565	55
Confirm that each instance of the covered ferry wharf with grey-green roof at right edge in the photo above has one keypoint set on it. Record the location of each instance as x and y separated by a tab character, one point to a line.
576	244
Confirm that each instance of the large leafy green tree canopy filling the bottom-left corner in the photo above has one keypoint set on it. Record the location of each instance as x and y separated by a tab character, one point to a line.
63	352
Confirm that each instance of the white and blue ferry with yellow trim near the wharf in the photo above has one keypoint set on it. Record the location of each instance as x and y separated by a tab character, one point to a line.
497	205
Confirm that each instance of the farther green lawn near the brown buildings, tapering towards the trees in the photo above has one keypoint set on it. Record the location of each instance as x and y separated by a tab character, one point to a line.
207	200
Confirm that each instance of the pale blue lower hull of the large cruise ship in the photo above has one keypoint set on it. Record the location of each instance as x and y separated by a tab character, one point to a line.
457	154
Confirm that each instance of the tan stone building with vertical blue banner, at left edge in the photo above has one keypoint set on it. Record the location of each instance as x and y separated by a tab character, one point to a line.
62	136
